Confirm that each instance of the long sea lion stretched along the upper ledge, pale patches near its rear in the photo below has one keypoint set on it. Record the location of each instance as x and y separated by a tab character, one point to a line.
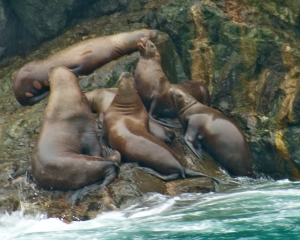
31	81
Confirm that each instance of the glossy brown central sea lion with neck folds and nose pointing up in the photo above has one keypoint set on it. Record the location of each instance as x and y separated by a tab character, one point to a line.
125	128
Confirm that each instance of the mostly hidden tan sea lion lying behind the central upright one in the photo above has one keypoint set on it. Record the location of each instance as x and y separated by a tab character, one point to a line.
100	101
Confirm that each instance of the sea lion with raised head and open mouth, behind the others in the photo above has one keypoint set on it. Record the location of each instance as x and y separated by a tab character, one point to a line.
152	84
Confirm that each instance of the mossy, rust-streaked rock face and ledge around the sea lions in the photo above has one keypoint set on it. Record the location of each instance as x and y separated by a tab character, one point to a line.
246	53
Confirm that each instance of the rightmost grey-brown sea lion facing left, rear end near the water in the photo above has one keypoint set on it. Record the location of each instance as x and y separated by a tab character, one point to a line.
209	130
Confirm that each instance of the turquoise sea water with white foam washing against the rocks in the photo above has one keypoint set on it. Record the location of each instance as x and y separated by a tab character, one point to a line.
256	209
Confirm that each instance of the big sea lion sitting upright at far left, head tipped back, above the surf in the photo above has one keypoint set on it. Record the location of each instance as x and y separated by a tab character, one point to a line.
67	154
